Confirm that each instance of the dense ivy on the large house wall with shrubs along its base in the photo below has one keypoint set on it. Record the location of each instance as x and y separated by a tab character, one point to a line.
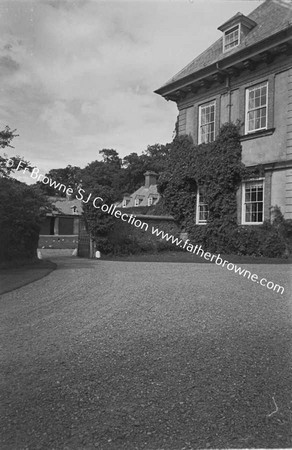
216	169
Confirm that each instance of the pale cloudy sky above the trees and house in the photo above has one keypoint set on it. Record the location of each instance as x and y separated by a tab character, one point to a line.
78	76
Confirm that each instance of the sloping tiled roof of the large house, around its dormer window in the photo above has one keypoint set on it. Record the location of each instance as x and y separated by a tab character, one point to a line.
271	17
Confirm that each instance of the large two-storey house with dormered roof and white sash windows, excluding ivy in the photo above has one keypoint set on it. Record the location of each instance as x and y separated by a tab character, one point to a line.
246	75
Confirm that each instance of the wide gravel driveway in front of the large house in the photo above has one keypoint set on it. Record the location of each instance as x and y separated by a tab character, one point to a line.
156	356
